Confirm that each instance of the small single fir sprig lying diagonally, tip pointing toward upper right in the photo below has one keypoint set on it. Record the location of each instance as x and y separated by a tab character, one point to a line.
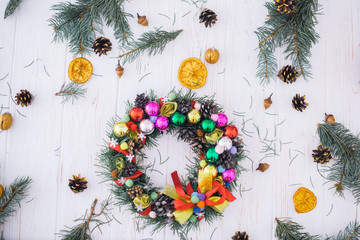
152	42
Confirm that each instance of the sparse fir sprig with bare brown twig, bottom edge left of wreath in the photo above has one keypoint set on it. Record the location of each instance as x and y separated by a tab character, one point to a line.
83	230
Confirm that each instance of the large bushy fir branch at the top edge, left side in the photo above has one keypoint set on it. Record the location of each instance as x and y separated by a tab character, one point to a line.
79	22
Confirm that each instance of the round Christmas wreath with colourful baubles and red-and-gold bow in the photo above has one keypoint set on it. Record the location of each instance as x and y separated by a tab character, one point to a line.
206	192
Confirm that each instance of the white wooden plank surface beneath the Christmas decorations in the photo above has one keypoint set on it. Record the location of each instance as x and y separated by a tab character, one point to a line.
55	141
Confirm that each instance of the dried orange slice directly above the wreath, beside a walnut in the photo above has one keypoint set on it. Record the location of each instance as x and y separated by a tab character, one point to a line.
192	73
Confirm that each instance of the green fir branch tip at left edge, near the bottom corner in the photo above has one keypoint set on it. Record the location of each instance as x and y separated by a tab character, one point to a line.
12	196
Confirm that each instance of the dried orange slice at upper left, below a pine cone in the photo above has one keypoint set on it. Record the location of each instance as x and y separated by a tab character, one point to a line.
80	70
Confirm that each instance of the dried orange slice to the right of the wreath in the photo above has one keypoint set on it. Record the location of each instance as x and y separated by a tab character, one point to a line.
304	200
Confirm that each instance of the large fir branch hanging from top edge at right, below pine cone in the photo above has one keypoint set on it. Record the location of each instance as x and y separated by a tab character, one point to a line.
295	31
